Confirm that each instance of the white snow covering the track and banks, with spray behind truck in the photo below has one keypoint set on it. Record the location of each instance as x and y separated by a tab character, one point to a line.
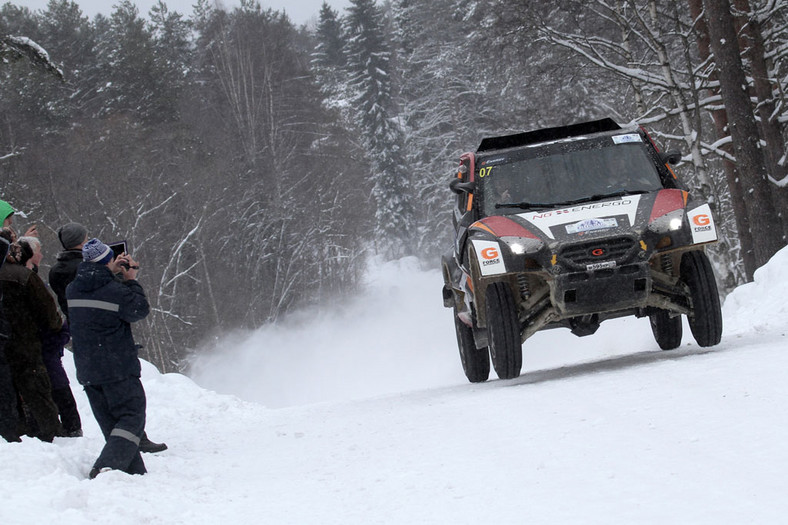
363	415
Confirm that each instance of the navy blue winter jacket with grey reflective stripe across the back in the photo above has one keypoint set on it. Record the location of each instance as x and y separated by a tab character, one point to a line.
101	310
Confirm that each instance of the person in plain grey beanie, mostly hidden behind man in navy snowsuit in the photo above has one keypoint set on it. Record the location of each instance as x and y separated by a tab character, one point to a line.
73	237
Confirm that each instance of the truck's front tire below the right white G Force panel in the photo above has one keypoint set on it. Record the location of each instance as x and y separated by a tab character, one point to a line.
706	318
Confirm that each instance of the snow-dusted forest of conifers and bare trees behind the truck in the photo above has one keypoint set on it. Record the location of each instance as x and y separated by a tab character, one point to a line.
256	167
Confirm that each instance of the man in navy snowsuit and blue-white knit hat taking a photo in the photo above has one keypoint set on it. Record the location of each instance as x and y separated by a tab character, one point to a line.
101	310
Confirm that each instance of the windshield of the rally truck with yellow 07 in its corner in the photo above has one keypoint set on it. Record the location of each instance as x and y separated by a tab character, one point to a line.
567	176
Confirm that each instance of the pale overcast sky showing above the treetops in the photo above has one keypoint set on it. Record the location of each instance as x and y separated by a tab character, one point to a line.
300	11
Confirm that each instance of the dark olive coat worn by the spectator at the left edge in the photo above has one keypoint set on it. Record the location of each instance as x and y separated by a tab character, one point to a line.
30	311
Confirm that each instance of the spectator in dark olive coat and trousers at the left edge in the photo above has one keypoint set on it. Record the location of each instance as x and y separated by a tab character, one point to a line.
29	310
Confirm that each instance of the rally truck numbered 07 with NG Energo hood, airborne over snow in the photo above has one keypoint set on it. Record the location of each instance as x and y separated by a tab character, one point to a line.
569	227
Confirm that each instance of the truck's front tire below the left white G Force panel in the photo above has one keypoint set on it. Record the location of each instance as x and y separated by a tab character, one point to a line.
503	330
